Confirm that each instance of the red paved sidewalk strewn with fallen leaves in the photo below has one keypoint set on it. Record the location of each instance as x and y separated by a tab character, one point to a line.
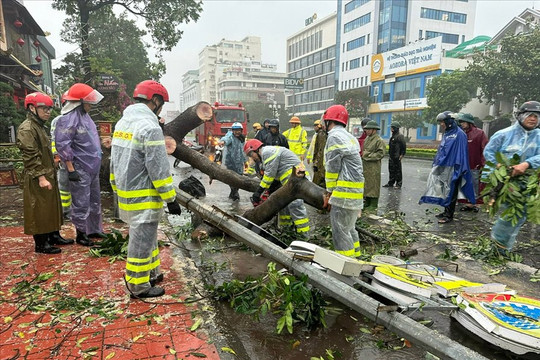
74	306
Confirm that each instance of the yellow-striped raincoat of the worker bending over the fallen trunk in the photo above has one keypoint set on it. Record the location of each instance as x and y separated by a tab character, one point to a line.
277	163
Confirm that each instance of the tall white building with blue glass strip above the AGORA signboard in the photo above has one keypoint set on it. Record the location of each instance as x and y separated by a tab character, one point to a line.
367	27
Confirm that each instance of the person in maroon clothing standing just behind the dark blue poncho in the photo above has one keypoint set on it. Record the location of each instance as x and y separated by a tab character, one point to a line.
476	140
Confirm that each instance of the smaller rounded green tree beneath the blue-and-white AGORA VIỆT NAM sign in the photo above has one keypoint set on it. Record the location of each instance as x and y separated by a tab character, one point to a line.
449	92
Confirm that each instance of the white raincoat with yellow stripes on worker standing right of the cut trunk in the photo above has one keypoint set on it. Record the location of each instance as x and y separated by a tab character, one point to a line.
344	173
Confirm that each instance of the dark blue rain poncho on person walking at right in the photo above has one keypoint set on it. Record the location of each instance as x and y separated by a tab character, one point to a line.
451	164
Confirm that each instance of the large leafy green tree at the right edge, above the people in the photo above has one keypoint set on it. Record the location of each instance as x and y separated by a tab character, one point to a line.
511	73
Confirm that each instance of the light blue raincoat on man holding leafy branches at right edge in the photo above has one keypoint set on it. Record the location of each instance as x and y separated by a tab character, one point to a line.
512	140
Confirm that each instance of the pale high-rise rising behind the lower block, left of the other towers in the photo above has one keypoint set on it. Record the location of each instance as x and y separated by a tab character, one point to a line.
214	58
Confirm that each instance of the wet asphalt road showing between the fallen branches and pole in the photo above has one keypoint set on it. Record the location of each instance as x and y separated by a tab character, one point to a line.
348	334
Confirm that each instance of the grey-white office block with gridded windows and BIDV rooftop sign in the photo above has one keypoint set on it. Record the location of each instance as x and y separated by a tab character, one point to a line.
311	56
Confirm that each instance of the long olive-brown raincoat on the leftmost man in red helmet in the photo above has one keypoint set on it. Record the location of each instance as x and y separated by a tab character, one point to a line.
42	209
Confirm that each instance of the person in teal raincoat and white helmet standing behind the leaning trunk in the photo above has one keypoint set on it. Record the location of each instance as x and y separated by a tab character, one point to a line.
234	154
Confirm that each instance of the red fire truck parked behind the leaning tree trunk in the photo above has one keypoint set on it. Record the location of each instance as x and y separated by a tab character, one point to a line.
223	117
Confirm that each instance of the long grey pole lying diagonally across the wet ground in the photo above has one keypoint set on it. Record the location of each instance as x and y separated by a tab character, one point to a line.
402	325
